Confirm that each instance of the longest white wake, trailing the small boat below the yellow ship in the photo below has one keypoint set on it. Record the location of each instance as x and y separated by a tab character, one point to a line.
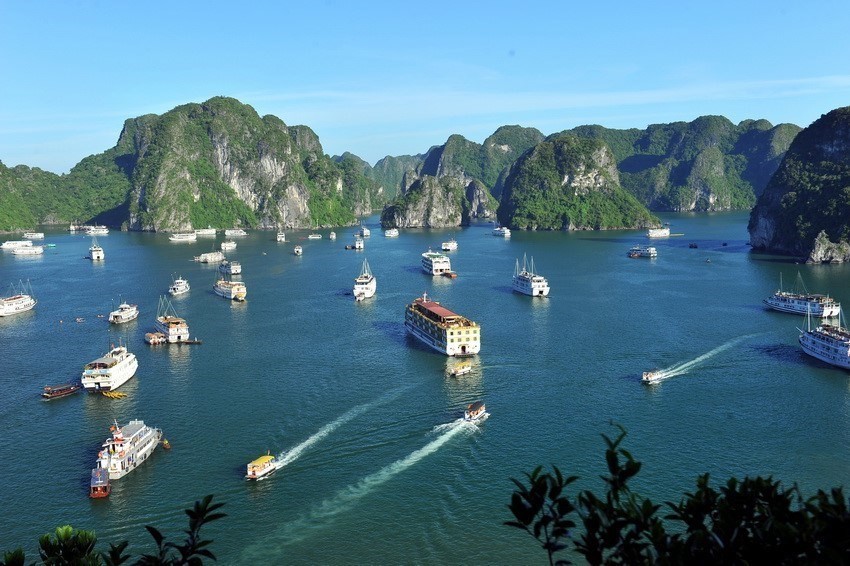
347	497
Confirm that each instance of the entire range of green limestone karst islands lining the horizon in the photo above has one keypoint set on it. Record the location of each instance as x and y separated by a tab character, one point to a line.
219	163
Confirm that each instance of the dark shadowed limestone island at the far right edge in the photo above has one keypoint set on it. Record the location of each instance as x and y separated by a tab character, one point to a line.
805	206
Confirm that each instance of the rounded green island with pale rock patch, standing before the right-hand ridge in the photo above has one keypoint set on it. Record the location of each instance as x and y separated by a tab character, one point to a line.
569	183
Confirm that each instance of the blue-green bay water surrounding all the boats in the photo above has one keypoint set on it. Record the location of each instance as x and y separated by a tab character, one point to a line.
378	469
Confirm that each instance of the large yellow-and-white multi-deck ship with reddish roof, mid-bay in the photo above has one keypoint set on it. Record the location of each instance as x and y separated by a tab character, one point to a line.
441	329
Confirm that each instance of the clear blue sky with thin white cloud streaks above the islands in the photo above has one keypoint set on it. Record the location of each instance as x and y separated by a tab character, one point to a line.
392	78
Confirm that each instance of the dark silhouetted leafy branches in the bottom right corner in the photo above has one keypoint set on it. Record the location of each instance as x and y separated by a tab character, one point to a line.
749	521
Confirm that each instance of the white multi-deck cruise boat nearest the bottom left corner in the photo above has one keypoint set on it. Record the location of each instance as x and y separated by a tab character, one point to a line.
127	448
